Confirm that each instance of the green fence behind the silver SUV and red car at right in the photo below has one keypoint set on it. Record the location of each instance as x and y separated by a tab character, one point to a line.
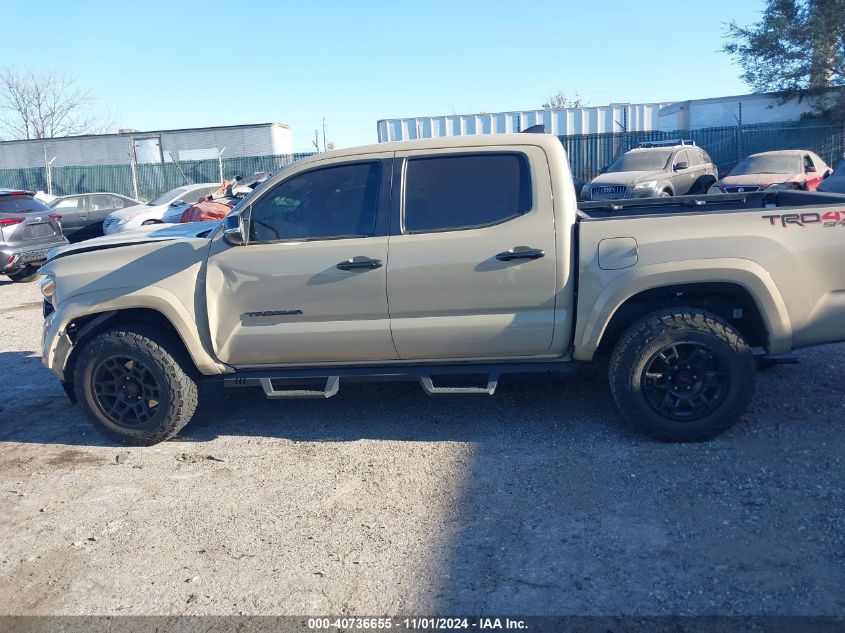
590	153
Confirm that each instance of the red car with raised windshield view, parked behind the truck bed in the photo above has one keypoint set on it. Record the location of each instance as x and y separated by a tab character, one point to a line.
783	169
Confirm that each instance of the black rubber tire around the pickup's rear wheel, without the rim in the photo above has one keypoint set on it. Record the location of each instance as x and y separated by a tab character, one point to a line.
637	348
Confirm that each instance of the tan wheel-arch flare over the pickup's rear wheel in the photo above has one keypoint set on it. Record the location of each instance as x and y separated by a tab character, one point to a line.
598	302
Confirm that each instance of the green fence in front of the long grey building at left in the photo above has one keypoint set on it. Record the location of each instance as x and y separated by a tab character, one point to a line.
148	180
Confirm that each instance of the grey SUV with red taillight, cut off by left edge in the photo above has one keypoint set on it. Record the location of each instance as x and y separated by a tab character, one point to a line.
28	229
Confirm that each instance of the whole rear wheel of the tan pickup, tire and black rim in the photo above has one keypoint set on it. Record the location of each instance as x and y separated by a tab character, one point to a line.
682	375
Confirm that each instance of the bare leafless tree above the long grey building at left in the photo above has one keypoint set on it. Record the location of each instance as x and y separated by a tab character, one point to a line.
43	105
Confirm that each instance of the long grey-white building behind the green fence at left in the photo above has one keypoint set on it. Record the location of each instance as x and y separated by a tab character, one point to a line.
262	139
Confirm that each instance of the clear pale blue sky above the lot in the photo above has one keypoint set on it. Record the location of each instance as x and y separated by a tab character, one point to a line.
161	65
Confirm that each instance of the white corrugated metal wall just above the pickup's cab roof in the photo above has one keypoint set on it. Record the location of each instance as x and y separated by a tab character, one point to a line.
568	121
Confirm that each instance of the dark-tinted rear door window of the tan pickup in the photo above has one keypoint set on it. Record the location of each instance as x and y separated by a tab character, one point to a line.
447	193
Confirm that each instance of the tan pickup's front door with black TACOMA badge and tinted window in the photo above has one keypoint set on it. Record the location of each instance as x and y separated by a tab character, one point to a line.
310	284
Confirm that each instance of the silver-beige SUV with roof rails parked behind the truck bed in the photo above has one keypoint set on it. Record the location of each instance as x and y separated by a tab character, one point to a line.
656	169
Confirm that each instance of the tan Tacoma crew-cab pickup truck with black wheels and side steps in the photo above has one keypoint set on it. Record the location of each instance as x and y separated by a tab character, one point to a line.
451	261
